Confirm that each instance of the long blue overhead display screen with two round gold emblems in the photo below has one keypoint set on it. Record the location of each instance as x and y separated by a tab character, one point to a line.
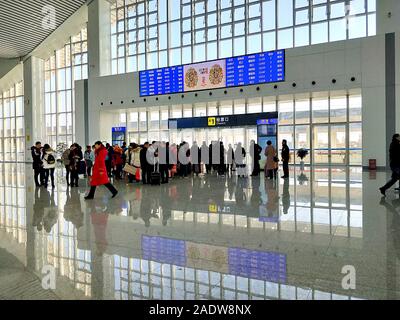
252	69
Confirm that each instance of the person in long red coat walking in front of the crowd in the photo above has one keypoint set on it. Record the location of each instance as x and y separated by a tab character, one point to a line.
100	176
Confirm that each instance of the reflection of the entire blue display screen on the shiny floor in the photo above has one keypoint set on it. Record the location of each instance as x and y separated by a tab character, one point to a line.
262	265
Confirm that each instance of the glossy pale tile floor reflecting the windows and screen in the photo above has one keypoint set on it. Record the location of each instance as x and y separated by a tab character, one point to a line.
202	238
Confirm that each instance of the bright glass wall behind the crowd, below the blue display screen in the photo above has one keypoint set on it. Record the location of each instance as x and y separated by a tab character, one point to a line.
329	126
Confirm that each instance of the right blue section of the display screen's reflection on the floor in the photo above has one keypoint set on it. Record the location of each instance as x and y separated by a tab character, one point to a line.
262	265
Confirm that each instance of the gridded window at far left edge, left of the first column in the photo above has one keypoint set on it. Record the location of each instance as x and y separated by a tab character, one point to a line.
12	133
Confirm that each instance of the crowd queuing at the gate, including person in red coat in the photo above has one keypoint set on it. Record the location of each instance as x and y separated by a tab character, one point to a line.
153	163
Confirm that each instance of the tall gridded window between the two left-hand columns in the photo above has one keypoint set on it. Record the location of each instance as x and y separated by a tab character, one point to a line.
62	69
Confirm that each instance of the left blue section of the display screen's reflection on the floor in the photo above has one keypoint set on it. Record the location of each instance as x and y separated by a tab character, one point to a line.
164	250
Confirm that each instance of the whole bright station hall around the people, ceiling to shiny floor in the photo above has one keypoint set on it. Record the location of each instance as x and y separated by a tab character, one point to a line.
323	75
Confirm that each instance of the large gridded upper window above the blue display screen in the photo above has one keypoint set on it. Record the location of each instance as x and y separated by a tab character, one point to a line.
157	33
